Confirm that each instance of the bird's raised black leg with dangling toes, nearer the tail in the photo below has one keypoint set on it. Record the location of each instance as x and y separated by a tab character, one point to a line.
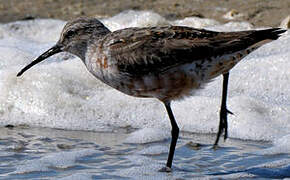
223	126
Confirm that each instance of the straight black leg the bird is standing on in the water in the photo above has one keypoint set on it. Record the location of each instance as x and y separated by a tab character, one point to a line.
174	134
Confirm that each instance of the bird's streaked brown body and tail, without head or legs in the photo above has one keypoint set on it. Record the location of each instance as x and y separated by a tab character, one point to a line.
167	62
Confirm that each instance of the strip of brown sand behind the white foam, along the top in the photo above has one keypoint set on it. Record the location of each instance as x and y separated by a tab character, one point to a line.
258	12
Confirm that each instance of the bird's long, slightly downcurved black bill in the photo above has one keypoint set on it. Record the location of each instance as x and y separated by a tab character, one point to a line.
55	49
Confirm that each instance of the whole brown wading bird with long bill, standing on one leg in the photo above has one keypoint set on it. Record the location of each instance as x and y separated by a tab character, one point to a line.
166	63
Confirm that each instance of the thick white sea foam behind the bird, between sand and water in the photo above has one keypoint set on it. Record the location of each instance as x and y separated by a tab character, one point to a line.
62	94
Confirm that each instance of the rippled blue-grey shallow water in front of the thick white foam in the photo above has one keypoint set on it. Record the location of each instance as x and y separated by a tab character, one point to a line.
33	153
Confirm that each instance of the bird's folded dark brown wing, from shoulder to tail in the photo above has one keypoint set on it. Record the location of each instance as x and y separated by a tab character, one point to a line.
140	51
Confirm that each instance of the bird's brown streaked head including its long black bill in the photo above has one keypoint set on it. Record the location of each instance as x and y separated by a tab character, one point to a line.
73	39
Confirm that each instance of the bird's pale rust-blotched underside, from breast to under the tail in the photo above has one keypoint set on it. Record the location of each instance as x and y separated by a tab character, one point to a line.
175	83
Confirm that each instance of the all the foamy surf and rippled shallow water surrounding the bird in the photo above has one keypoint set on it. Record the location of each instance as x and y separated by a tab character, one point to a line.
131	136
